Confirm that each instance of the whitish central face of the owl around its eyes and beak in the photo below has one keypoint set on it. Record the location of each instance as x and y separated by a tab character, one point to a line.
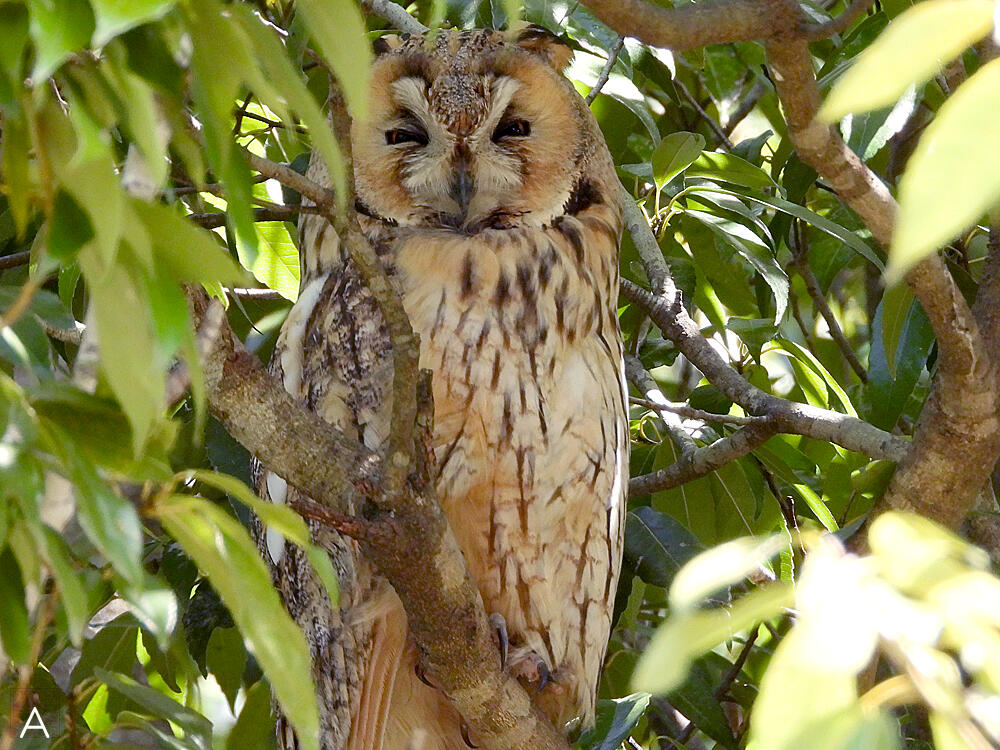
467	172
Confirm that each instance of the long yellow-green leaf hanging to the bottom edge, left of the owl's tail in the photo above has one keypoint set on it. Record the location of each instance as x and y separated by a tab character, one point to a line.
221	547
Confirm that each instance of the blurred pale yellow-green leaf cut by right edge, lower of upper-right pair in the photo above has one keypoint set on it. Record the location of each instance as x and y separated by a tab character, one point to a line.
953	177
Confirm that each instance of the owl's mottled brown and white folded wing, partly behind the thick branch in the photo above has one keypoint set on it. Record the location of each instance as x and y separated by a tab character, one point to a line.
331	355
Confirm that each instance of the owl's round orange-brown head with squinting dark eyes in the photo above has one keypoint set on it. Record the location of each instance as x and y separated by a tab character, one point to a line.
471	130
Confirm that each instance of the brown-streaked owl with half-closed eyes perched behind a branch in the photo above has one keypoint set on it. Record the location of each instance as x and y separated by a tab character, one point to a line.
488	194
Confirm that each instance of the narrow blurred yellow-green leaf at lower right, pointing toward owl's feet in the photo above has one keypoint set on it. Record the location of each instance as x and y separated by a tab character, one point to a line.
682	638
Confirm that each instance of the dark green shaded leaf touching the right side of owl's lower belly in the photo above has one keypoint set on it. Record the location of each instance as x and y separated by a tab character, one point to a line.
657	546
